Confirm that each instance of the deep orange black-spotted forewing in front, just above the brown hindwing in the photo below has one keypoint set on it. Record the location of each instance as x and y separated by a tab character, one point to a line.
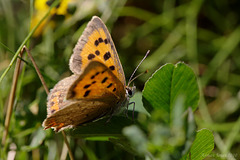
96	82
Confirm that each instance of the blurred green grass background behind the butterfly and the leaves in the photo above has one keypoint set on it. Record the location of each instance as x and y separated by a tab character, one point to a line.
203	34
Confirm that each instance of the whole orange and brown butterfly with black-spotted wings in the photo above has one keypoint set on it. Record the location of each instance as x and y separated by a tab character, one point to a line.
97	87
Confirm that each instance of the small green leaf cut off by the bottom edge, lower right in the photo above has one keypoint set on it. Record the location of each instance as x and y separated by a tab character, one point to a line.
202	145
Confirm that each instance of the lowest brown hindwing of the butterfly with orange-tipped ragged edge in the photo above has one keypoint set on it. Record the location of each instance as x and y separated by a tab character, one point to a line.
76	113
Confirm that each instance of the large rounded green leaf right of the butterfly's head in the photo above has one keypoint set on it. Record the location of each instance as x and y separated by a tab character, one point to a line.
167	84
